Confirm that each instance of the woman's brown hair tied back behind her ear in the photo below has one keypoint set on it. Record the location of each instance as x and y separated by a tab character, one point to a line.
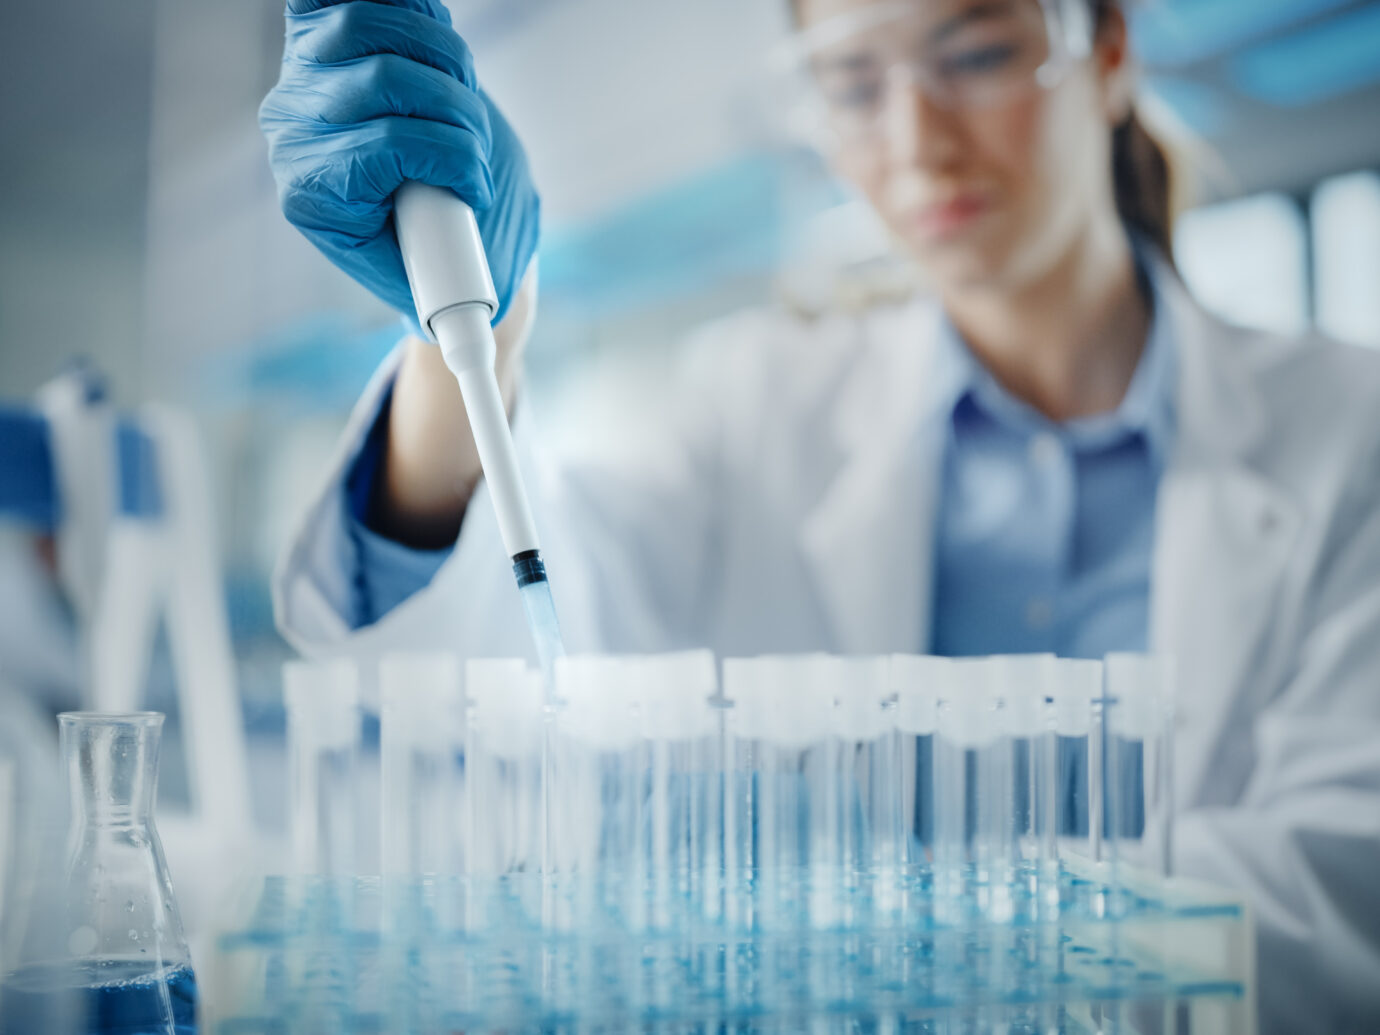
1143	177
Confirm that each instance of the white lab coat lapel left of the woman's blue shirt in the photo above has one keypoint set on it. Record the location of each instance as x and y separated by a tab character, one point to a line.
869	544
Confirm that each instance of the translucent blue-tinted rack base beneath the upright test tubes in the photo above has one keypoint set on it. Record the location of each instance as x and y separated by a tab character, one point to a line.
521	954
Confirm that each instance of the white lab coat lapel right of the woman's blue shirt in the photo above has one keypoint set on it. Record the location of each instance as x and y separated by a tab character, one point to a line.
1223	540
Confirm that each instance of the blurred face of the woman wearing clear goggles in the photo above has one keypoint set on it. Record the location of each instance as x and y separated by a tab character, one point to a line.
985	175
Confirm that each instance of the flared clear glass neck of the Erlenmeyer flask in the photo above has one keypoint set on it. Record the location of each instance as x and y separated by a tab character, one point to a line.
112	765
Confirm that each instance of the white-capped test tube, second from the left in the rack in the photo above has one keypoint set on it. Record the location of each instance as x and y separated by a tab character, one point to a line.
420	738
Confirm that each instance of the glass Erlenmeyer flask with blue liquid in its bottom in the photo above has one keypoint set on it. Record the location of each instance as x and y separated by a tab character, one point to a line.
110	957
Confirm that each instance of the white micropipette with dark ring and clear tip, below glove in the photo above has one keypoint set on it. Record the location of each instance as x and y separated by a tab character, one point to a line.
456	300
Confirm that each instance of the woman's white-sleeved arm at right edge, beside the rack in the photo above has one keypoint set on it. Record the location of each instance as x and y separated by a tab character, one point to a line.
1305	842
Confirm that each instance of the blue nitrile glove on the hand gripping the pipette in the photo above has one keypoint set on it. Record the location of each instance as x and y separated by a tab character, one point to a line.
376	93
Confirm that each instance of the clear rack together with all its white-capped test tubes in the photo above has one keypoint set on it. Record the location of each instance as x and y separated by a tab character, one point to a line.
816	844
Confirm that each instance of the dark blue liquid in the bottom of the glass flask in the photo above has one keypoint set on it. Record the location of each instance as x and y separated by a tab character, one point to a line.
108	997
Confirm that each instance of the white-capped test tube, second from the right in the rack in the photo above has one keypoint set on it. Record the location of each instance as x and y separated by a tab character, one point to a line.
1077	695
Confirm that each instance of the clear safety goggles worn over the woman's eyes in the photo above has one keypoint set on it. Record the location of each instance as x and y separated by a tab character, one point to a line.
963	55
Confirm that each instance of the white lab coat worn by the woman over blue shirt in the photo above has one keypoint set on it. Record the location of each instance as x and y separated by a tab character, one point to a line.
794	509
